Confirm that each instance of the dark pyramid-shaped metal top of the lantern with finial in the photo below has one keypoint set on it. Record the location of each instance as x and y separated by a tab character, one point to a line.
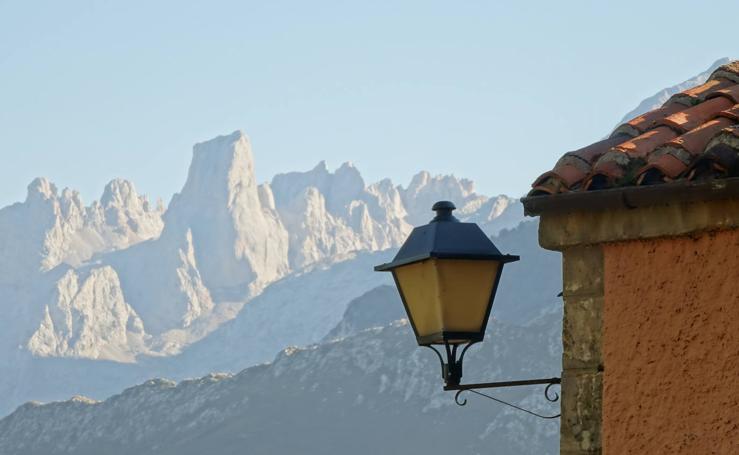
445	237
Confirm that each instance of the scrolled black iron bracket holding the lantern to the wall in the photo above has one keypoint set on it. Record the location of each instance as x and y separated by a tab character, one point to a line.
451	372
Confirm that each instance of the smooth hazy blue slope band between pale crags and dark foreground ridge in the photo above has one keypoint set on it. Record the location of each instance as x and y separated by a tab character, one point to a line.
291	311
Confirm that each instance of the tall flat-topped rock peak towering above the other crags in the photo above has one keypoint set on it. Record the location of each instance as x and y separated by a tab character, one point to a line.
240	244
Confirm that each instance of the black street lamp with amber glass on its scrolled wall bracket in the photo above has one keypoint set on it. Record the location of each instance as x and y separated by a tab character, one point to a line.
447	273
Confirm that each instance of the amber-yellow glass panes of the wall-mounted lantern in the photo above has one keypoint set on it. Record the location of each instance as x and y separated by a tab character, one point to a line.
447	295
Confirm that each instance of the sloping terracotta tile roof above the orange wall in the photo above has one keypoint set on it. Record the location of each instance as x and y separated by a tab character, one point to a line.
694	135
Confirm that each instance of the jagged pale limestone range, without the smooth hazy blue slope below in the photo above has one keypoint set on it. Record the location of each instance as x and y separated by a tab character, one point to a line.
123	280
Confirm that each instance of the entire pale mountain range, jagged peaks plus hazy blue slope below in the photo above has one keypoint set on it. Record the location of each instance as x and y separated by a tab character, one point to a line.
230	262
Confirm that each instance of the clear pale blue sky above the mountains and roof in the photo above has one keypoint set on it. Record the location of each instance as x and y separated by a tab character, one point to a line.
493	91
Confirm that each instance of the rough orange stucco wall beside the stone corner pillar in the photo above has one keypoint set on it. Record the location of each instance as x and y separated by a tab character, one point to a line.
671	346
